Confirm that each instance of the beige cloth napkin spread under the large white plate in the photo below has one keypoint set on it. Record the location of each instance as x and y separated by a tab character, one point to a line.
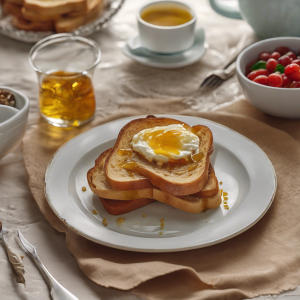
264	259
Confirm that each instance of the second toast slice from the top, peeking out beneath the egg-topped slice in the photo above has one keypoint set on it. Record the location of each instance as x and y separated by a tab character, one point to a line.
98	183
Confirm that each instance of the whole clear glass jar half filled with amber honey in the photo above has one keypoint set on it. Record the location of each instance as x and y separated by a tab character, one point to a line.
65	65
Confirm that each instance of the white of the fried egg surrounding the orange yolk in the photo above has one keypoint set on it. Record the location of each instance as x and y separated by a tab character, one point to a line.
189	144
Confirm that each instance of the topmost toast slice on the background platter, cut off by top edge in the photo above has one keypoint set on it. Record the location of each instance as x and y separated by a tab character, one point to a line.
54	7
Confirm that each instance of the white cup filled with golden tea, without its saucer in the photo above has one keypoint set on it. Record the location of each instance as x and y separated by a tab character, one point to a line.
166	26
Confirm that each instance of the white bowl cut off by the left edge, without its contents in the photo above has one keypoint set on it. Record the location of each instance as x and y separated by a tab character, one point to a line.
13	122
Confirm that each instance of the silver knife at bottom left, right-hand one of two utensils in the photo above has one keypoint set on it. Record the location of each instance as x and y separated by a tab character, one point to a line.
57	291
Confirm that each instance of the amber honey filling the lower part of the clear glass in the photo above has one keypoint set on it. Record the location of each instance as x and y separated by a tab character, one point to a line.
67	99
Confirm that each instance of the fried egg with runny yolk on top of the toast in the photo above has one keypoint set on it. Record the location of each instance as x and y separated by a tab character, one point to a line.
165	144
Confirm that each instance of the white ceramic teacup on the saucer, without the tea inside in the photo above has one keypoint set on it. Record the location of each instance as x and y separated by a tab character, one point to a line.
167	39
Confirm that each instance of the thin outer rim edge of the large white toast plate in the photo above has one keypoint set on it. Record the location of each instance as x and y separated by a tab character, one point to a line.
159	250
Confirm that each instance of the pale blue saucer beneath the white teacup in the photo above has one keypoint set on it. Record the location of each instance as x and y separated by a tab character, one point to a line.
170	61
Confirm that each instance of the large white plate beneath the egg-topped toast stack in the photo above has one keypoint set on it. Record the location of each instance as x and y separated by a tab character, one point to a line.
245	170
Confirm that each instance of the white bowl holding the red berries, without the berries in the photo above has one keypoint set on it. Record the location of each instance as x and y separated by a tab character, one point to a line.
279	102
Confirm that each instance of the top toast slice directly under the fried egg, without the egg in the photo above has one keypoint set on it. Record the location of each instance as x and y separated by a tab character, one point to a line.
174	179
